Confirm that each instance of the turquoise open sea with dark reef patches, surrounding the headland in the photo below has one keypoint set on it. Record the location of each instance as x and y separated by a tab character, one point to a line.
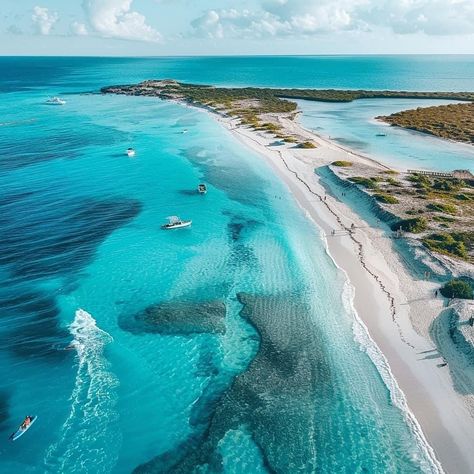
229	347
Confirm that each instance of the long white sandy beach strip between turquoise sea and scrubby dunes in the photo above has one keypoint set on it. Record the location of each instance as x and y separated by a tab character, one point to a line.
396	308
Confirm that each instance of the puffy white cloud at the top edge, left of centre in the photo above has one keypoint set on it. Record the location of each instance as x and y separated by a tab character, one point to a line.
115	19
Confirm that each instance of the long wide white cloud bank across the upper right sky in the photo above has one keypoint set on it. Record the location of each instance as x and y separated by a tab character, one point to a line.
311	17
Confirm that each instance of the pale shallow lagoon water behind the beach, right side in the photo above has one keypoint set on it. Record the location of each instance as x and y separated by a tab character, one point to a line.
353	125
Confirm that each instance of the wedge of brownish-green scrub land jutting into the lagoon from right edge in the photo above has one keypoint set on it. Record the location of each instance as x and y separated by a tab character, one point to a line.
454	121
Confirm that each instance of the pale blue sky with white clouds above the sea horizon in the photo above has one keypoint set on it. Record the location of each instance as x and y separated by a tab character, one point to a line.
215	27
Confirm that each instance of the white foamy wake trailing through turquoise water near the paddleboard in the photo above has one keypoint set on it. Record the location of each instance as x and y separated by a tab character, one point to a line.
91	424
